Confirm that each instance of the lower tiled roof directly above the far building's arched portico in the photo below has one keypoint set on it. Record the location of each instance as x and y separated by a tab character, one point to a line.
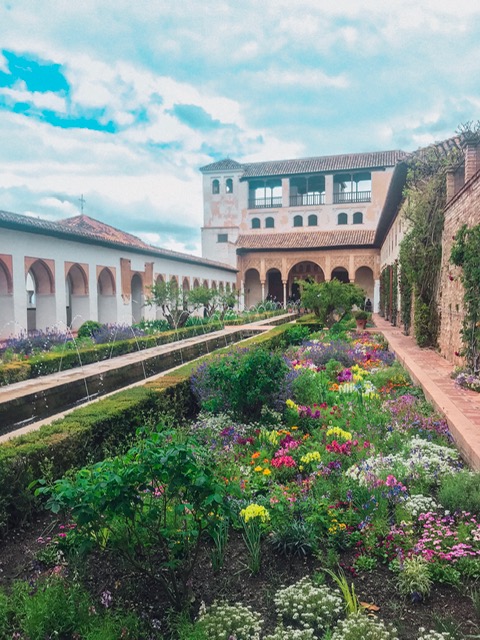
307	239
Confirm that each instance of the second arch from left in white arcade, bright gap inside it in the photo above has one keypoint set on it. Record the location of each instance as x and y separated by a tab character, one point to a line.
41	311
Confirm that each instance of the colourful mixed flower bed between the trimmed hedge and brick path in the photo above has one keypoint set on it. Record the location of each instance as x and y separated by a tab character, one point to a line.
324	457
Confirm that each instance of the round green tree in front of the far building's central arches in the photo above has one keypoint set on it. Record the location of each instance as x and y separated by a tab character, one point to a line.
330	301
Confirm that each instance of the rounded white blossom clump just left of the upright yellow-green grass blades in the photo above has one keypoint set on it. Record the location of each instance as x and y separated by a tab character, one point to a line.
309	606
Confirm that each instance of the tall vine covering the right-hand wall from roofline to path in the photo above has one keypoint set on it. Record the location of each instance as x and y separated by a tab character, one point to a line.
420	250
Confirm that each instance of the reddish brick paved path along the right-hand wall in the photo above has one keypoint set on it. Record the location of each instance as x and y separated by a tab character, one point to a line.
461	407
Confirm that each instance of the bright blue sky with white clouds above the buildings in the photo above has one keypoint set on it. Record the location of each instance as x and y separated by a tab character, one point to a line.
122	102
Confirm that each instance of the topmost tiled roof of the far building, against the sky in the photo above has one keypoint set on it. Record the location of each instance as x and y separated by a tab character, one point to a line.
347	162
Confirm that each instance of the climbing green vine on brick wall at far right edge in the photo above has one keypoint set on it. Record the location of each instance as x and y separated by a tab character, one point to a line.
466	254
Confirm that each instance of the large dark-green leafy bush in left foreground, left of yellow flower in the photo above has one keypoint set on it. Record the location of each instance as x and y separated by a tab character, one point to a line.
151	506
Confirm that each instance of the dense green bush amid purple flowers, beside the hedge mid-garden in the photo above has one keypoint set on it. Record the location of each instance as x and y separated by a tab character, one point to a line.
241	382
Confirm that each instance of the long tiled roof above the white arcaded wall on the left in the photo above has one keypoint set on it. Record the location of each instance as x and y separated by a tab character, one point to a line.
85	229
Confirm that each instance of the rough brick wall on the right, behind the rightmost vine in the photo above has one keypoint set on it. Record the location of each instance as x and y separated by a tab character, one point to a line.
464	208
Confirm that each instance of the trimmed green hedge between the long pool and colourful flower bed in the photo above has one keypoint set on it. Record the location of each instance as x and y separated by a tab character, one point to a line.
95	431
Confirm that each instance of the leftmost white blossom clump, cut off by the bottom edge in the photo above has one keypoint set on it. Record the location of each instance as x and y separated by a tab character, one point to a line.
222	621
